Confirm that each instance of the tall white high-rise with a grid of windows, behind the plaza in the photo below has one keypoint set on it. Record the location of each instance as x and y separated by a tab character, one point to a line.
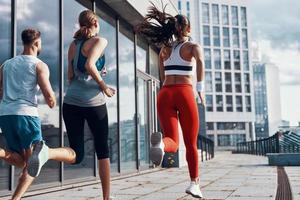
223	34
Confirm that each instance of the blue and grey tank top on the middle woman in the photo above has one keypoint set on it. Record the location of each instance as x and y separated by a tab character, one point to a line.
83	90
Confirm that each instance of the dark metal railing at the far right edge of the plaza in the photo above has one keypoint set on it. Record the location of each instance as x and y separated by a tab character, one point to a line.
281	142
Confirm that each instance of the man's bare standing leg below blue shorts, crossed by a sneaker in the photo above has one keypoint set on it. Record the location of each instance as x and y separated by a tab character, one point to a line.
25	180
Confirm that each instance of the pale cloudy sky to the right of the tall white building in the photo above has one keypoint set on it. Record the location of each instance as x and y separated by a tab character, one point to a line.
275	26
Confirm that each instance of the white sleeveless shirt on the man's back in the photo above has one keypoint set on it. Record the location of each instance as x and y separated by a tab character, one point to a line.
20	86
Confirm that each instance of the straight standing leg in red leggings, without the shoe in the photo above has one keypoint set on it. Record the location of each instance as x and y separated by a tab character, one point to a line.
189	121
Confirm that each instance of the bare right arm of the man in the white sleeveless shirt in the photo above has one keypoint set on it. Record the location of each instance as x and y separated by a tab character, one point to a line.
44	83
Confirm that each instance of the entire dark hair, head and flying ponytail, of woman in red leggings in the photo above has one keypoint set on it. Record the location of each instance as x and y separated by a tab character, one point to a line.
159	27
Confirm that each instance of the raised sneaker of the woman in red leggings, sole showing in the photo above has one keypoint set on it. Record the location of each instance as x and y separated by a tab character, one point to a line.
157	148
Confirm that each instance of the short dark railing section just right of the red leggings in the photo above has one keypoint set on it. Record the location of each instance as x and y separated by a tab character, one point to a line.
207	148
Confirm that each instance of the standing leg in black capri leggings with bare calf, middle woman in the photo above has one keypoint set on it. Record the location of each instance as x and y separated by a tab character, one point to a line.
97	120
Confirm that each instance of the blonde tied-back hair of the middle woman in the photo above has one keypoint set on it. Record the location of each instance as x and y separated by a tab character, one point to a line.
86	20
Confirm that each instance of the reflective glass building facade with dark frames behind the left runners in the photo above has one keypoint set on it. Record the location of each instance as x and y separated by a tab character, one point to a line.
132	69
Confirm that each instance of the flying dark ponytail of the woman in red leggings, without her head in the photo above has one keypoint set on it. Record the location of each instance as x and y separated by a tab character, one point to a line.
158	26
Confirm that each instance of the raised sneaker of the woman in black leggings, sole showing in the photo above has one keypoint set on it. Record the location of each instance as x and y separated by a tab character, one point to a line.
39	157
